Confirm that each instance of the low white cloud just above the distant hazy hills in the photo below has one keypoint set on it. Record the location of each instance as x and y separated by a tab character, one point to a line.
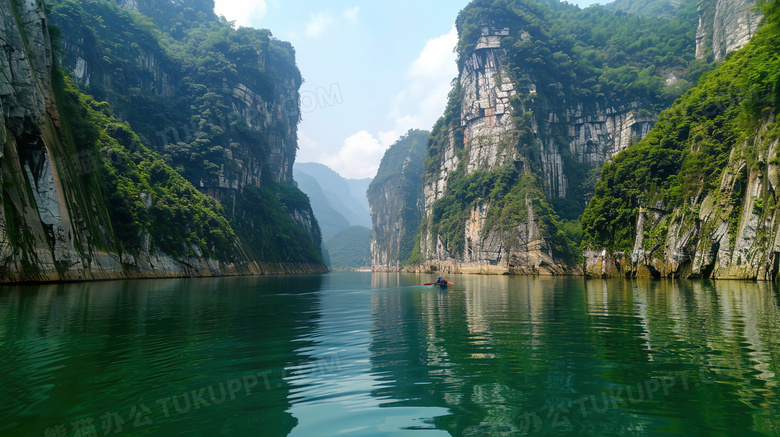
359	158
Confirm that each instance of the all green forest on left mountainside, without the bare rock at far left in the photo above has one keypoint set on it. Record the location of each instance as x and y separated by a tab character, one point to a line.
185	156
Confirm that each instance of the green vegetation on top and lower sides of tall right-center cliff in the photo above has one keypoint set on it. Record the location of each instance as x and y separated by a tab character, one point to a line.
554	54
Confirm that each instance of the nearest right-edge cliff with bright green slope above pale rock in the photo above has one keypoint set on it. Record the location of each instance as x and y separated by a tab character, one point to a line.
711	210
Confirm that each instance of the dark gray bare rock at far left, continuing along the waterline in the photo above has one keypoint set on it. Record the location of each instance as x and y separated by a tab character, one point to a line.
54	224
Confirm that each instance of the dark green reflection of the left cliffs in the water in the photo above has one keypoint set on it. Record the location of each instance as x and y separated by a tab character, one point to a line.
79	351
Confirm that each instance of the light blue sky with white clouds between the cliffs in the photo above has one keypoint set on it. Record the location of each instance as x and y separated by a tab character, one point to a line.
372	70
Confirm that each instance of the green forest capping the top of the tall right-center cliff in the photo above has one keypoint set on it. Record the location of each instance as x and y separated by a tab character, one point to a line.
595	53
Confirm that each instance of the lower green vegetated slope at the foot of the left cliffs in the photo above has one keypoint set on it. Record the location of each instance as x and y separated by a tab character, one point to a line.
146	197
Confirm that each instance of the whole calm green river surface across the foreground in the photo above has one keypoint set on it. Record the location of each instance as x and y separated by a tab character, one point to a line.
368	355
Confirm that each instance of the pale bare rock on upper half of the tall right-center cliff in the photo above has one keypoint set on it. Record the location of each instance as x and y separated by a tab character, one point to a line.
589	132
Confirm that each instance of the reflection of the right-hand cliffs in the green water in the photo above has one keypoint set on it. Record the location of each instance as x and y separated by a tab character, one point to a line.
573	357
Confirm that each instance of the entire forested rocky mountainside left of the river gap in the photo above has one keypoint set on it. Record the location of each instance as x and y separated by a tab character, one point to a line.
87	193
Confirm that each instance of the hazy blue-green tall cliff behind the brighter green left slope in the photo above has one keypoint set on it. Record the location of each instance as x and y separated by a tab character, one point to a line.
225	130
